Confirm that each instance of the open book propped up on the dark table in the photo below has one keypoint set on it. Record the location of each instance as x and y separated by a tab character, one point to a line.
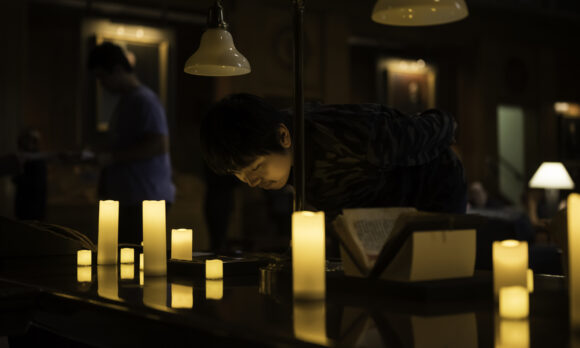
405	244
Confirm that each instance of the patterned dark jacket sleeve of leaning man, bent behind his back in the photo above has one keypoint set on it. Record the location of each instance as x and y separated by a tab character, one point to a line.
396	139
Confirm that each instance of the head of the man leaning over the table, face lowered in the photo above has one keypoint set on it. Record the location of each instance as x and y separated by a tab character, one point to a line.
247	137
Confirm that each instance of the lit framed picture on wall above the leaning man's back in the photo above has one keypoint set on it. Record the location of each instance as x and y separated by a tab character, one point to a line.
409	85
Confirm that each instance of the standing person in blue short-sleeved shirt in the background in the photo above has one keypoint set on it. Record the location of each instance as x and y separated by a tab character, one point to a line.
137	165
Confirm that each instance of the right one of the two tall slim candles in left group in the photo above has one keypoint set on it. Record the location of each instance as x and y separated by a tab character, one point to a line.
154	250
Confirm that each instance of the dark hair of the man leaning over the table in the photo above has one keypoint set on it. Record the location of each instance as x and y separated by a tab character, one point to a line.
237	129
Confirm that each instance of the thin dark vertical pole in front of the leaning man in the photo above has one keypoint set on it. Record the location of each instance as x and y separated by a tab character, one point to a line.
299	171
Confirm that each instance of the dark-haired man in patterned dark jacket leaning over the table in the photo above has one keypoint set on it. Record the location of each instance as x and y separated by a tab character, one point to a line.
357	155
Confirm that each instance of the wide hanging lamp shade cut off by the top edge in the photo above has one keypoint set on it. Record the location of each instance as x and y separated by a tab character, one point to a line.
418	12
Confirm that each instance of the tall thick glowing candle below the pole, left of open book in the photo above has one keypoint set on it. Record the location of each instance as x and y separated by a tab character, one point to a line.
308	255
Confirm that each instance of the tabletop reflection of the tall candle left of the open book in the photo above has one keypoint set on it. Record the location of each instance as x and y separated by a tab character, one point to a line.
310	321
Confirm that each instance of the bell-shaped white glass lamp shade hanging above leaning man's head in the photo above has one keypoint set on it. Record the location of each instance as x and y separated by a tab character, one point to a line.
217	56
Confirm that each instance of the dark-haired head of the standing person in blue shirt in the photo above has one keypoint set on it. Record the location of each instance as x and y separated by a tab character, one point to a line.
111	67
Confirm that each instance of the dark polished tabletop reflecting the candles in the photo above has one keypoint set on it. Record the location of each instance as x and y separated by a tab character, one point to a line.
257	309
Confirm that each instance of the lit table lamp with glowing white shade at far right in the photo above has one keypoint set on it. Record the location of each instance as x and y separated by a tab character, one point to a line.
552	176
